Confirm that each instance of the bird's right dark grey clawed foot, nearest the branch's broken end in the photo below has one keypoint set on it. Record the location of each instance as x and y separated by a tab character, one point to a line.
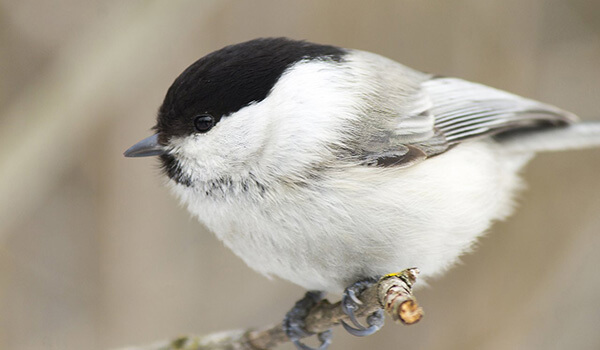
350	303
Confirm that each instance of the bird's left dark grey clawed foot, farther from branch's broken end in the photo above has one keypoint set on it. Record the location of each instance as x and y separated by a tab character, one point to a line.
293	323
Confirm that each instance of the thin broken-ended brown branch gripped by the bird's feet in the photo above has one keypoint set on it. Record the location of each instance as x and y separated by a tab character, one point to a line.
392	293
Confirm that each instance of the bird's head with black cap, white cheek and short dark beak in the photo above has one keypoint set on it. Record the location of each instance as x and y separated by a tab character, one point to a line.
266	103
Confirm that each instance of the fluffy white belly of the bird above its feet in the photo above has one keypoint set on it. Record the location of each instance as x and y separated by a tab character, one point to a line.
368	221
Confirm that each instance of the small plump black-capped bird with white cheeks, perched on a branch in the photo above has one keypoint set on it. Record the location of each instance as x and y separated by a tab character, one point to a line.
330	167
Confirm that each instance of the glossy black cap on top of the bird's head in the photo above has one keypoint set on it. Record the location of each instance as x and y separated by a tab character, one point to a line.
226	80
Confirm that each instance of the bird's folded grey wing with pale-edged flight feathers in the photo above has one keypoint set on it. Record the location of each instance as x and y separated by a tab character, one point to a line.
457	111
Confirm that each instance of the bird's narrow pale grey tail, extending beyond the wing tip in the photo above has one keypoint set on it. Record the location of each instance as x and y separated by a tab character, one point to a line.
572	136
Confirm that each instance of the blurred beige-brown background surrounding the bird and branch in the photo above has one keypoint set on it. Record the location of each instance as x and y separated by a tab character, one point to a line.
96	254
